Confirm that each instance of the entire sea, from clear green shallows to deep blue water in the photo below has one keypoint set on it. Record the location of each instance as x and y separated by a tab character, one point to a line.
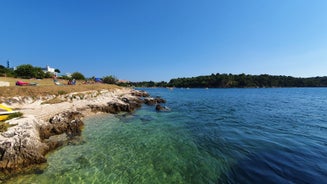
266	135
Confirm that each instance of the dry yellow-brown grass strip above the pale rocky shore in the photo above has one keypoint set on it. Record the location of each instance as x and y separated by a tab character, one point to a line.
47	87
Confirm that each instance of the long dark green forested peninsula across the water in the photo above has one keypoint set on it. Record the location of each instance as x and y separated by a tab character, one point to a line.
237	81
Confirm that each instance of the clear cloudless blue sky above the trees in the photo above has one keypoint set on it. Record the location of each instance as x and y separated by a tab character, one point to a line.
162	39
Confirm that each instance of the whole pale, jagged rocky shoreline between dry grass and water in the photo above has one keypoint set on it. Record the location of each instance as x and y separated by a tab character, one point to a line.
45	127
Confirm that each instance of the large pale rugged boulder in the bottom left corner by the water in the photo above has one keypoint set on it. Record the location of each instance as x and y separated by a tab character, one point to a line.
21	147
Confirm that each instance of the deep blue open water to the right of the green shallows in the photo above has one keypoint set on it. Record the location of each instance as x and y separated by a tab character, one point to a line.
271	135
